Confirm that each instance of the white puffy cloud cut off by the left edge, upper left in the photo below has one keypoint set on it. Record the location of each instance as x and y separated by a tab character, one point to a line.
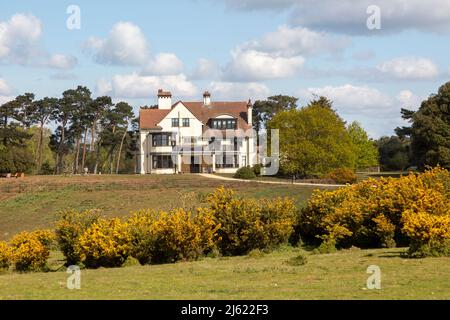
19	44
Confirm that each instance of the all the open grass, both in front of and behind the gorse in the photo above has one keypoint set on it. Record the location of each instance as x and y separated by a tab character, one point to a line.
31	203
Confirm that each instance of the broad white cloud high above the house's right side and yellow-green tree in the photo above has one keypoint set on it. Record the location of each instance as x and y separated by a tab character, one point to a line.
290	42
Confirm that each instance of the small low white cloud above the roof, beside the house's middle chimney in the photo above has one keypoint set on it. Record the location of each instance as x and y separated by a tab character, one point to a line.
239	91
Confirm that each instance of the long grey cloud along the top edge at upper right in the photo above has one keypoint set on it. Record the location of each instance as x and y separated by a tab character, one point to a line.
350	16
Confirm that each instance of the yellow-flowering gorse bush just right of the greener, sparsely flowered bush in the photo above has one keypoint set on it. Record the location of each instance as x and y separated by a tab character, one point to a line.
106	243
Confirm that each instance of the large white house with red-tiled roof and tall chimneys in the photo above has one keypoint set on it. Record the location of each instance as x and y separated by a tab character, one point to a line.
196	137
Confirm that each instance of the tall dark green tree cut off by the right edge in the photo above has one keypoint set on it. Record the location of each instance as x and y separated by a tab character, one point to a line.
430	130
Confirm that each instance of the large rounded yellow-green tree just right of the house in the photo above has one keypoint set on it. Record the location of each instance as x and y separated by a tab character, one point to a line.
313	140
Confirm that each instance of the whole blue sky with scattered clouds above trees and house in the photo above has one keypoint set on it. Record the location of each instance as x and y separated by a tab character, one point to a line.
237	50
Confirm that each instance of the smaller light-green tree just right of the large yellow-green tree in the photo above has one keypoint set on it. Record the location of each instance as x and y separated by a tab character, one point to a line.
366	150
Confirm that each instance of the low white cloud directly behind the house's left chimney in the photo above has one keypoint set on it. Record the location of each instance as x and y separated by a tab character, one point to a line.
138	86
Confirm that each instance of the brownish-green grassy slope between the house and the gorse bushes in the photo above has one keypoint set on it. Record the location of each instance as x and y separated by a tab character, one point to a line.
33	202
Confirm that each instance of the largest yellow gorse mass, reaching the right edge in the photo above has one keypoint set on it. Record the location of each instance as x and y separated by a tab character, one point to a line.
412	210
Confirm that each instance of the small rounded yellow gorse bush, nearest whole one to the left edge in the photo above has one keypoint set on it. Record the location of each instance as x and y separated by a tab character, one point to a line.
28	252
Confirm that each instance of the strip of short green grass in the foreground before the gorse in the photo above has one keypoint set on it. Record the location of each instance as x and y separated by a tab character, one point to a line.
267	276
